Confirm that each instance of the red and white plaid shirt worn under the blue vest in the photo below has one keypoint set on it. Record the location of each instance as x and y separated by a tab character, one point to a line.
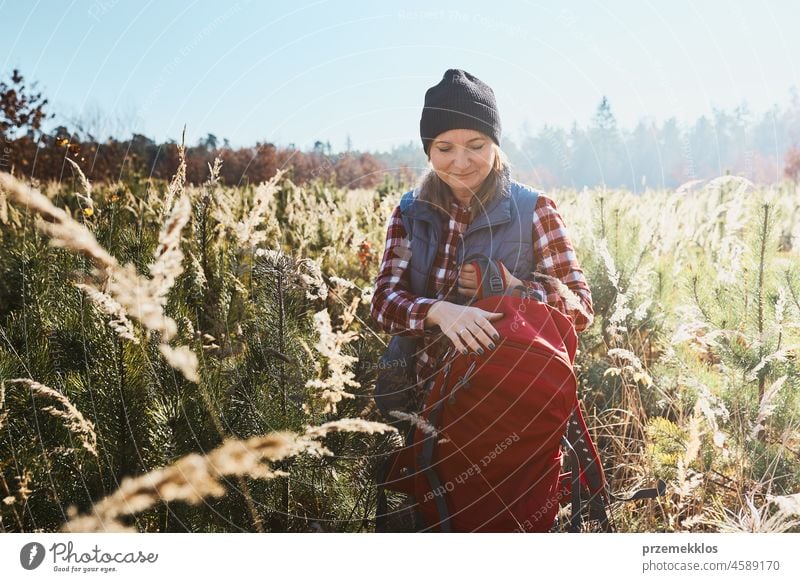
399	312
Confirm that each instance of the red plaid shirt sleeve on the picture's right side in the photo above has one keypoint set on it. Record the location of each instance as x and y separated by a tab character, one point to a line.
559	265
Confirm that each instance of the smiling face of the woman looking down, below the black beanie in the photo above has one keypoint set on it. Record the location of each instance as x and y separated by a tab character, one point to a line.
462	158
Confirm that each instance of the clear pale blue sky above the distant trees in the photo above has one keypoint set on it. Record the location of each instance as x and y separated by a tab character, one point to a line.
297	71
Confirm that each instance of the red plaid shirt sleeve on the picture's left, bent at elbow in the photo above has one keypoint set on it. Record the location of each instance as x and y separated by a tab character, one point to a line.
393	306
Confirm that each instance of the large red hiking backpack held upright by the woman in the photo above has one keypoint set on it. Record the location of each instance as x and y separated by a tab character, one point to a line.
488	457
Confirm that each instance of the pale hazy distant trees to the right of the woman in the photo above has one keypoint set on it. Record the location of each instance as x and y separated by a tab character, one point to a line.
663	155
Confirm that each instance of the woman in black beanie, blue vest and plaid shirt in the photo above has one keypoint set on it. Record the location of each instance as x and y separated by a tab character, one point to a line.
469	185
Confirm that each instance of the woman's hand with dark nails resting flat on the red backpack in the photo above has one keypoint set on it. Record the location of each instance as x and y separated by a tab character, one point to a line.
468	328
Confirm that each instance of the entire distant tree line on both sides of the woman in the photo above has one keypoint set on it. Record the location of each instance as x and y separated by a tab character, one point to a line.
651	155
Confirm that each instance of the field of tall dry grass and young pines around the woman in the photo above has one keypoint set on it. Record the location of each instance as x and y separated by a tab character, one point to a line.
180	358
